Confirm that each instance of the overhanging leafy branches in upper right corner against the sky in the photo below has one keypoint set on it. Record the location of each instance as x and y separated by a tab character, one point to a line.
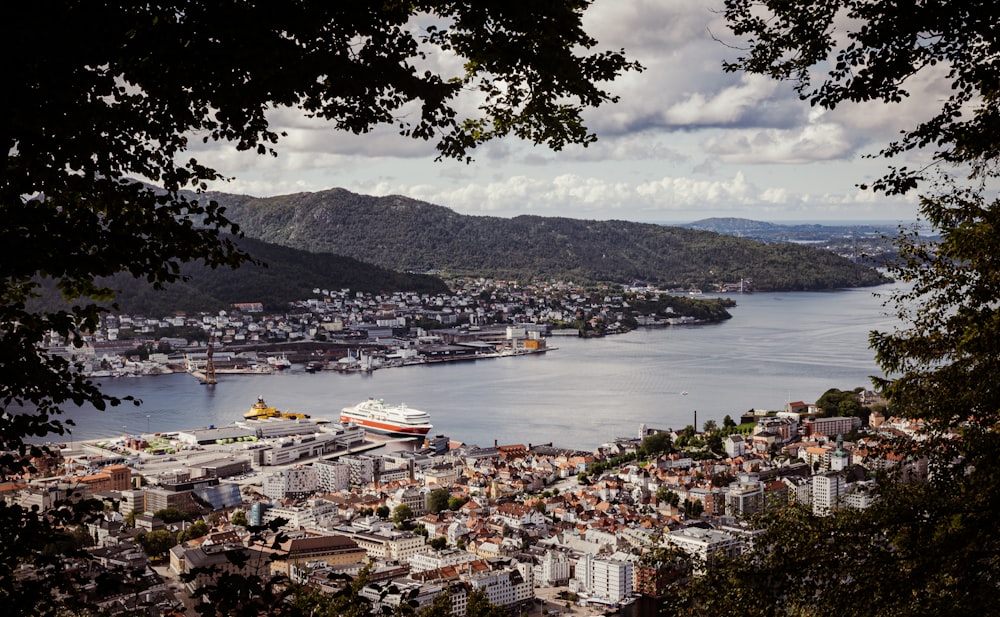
849	51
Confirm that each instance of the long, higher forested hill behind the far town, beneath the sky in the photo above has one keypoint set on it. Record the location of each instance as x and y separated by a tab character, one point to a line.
405	234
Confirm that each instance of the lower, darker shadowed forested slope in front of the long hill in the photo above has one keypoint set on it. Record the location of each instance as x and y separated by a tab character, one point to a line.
290	275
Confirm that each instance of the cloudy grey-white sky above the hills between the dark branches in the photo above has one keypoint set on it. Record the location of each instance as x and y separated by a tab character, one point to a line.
685	142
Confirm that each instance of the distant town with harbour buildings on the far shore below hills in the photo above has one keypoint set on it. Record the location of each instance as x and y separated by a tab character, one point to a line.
354	331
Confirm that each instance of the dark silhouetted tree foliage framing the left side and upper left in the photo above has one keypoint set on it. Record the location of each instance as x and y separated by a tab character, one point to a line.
105	104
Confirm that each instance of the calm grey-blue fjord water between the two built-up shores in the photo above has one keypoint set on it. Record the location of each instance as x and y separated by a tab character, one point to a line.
777	347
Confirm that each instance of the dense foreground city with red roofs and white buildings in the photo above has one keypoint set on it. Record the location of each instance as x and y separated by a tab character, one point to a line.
531	526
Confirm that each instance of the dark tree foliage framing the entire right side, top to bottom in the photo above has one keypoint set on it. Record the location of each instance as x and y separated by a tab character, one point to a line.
924	548
